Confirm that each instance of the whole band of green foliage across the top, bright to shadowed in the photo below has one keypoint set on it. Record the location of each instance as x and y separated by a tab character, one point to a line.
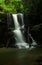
23	6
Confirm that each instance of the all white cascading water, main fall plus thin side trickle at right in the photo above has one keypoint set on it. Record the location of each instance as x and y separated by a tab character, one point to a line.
20	40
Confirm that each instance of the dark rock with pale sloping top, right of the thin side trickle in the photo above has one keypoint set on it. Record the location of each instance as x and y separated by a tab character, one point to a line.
37	34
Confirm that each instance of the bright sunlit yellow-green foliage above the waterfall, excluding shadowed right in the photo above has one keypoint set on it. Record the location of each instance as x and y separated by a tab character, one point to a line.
12	6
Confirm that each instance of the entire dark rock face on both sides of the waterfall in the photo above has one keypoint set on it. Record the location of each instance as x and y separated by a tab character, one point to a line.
31	25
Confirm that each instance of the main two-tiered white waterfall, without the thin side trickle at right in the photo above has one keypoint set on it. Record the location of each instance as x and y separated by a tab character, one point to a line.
20	41
